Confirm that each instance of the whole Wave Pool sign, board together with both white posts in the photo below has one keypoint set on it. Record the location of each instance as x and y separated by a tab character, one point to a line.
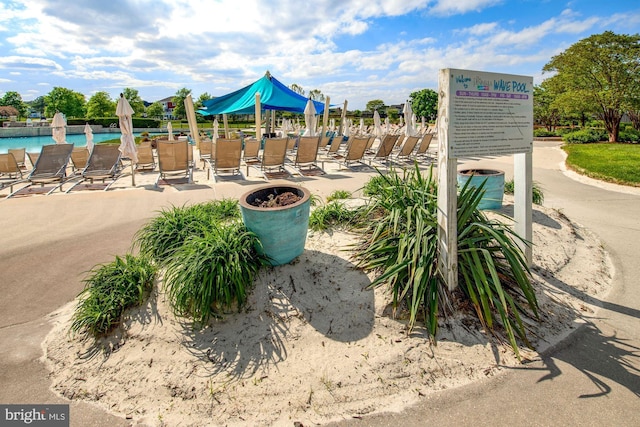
482	114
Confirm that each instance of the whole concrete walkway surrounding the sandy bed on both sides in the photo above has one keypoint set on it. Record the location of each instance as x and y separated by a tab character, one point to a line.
590	379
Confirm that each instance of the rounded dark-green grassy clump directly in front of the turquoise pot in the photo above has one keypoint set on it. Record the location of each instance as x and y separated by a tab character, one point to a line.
211	272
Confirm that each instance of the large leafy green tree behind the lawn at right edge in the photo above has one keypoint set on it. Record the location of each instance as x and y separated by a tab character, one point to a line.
602	71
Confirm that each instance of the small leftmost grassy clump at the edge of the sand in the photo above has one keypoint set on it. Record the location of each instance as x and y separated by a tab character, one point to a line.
109	290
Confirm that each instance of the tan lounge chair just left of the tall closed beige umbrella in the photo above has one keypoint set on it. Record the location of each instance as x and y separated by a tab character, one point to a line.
103	164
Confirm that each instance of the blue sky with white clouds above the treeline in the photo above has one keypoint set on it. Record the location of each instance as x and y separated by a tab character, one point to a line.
354	50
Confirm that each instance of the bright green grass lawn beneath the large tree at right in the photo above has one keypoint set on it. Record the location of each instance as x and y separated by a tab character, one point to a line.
618	163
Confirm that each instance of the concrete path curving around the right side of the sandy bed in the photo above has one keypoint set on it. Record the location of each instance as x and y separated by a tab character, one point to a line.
592	378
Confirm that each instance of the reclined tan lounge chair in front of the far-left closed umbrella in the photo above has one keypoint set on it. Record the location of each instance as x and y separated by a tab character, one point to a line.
50	168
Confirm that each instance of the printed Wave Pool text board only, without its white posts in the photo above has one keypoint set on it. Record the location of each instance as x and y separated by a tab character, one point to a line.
489	114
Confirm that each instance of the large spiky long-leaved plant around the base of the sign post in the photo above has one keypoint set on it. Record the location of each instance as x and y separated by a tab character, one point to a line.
399	242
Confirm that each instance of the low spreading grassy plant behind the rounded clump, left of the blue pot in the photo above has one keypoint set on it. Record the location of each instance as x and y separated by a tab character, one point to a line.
165	233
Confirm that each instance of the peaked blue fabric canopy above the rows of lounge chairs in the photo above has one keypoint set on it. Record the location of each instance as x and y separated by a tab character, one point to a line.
273	96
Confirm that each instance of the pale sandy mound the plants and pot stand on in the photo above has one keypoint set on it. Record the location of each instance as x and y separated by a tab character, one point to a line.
313	344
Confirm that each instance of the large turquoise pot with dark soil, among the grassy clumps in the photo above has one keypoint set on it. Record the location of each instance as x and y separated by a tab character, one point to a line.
282	230
